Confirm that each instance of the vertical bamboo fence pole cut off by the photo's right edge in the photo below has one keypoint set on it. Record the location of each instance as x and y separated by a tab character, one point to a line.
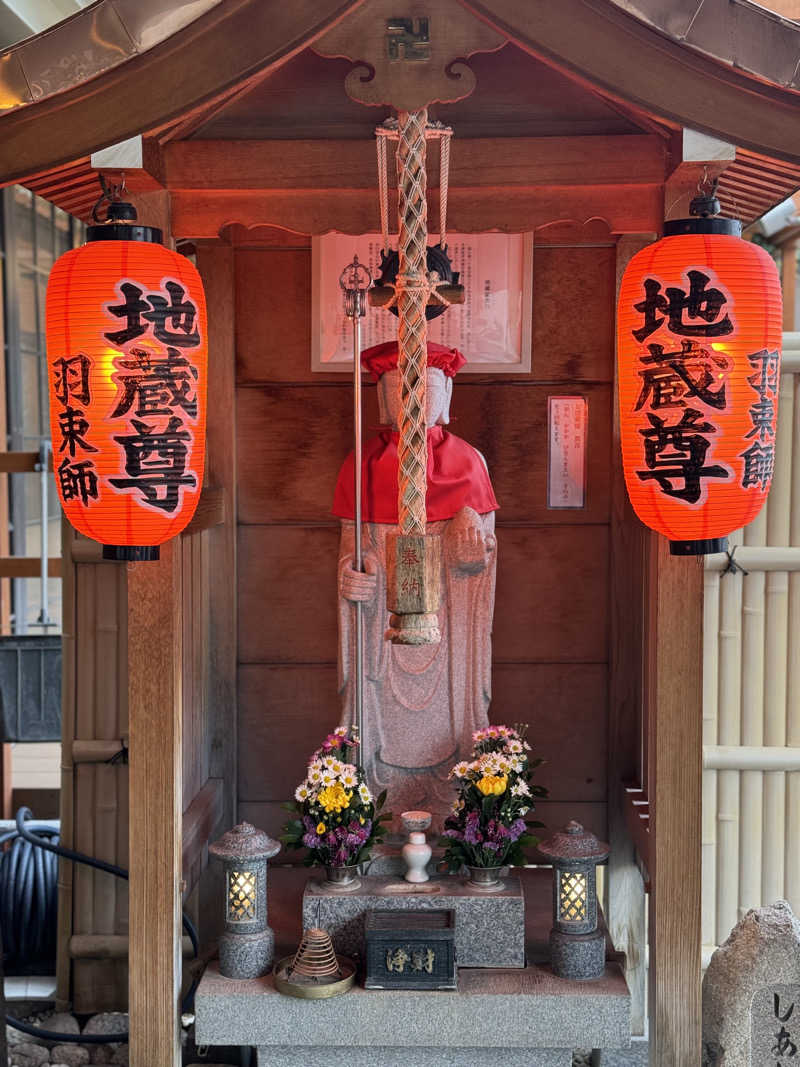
792	873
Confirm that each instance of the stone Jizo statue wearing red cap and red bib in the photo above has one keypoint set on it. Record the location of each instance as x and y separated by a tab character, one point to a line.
422	705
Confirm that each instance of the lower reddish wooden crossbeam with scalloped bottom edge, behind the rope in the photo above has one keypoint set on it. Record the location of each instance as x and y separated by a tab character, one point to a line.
626	209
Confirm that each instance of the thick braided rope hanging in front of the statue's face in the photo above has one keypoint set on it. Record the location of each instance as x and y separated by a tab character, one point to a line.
412	298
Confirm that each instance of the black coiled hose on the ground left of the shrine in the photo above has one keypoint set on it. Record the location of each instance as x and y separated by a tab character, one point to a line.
29	906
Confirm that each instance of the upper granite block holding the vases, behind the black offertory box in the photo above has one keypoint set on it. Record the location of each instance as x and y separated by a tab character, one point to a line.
490	928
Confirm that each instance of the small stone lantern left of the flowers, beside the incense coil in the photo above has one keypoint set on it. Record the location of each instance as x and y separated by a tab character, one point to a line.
247	947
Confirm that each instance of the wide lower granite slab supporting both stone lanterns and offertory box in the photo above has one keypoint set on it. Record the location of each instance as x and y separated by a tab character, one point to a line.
522	1017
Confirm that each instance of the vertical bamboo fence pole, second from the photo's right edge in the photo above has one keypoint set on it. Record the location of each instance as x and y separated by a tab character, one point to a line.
779	513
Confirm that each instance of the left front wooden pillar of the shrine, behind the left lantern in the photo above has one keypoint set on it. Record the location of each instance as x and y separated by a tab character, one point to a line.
155	711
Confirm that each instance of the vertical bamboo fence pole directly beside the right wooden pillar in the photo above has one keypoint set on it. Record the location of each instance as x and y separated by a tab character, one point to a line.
711	713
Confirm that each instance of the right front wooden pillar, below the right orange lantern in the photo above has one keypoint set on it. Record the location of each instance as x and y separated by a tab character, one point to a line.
674	690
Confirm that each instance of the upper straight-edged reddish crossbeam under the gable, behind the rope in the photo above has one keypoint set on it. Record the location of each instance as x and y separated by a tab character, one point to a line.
228	166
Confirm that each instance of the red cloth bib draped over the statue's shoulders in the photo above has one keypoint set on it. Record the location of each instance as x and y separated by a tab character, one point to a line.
457	479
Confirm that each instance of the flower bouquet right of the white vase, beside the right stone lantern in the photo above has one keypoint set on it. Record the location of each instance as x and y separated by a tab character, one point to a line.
488	827
